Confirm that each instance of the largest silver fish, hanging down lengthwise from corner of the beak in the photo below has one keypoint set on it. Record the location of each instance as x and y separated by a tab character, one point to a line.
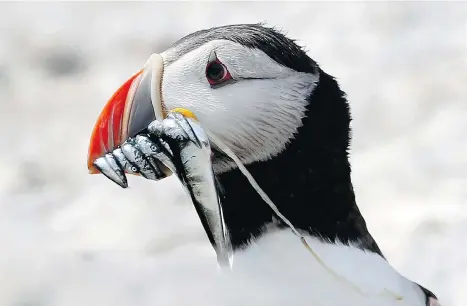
194	152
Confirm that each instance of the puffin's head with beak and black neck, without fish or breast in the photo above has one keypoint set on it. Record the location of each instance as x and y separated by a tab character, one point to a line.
259	93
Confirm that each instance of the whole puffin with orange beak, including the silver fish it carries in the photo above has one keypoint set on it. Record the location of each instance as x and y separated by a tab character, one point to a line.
288	122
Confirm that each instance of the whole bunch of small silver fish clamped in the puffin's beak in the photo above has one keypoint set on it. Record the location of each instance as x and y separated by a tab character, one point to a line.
176	145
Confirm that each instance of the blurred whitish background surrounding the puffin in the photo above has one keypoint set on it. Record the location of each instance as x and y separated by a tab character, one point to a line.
69	238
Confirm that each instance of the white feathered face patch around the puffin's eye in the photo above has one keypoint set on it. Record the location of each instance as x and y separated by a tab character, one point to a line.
255	117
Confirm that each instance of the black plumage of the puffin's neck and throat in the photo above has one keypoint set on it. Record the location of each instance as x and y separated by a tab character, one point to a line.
309	181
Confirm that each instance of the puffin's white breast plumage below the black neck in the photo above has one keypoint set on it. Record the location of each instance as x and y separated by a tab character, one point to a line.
278	270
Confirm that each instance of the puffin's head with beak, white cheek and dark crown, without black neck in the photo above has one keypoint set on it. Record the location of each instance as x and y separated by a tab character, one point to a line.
248	84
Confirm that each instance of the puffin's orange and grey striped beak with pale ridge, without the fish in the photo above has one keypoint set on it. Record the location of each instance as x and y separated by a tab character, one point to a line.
129	111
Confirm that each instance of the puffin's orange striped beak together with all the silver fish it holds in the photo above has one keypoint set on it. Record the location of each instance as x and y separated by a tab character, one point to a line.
134	122
